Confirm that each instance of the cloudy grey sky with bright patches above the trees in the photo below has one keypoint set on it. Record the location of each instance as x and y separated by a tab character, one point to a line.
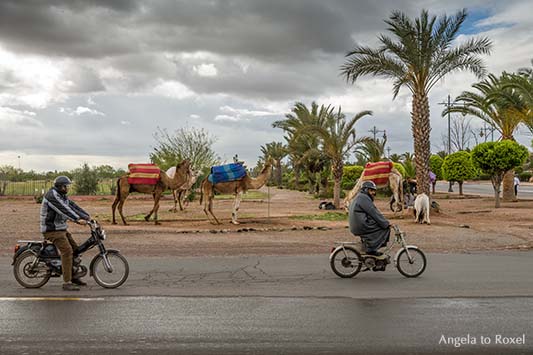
91	81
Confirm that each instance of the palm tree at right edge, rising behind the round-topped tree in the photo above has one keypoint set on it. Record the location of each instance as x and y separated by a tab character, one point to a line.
501	106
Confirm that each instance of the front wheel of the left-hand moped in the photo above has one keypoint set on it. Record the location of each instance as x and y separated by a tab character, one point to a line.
110	278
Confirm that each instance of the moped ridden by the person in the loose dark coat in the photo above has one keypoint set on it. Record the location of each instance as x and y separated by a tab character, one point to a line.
346	261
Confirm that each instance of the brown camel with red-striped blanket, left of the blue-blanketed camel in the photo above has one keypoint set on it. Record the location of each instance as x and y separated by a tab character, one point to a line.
182	176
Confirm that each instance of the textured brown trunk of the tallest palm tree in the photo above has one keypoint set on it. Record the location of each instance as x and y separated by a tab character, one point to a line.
421	128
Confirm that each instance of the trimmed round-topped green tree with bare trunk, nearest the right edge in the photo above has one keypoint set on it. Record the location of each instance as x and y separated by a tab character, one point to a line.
496	159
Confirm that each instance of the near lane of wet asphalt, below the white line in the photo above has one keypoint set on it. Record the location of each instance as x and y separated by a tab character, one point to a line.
258	325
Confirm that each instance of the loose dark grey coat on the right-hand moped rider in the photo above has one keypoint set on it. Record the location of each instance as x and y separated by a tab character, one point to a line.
367	222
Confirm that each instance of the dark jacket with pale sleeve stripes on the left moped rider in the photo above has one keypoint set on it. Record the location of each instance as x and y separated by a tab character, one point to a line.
56	209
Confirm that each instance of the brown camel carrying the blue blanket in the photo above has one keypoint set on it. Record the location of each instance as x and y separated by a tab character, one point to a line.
237	187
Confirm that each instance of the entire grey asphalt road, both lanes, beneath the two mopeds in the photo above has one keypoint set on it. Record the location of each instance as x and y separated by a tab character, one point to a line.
278	305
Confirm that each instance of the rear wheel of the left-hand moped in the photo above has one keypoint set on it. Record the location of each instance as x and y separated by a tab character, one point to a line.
28	275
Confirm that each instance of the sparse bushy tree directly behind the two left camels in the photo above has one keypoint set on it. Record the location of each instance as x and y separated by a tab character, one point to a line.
186	143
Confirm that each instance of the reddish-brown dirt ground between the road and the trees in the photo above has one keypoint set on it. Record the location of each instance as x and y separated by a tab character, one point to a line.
465	224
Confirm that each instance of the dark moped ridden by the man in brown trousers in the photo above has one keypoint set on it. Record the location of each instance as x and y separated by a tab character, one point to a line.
36	261
